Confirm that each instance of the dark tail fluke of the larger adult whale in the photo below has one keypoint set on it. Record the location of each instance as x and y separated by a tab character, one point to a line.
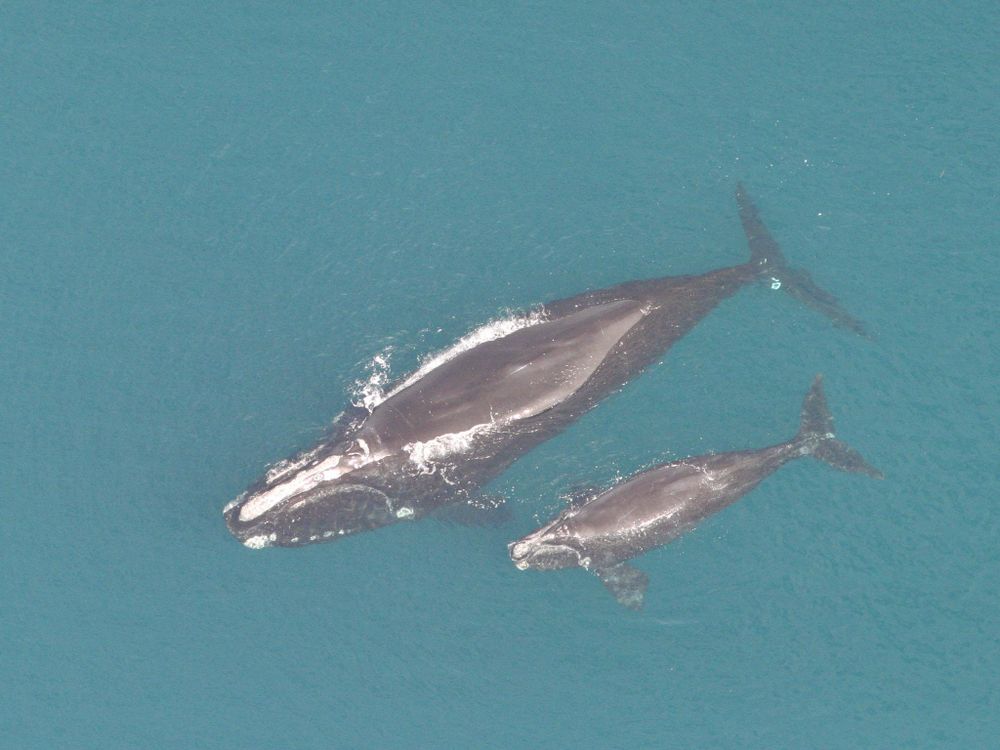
765	253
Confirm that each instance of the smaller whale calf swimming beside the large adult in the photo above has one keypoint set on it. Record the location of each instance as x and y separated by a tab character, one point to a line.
652	508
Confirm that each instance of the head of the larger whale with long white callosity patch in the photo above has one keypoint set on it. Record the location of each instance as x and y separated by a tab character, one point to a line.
312	498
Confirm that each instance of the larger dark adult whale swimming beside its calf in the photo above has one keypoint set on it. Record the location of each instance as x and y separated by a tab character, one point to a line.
460	420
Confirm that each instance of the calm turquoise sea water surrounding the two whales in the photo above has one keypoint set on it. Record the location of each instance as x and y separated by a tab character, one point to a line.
215	215
